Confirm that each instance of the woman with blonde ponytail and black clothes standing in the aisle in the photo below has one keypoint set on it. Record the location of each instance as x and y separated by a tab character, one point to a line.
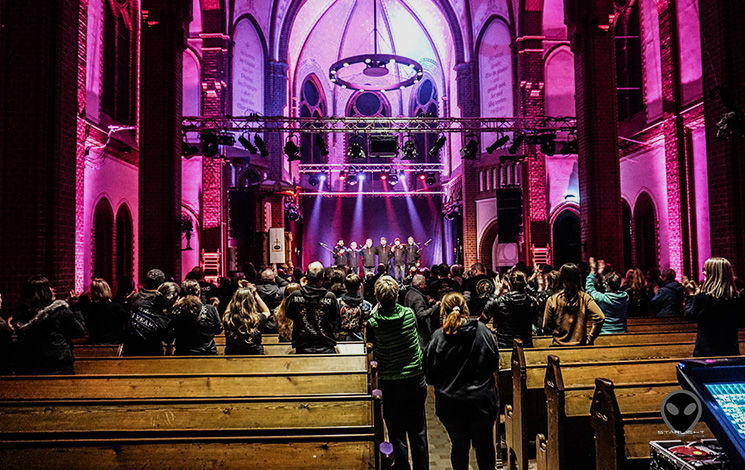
460	362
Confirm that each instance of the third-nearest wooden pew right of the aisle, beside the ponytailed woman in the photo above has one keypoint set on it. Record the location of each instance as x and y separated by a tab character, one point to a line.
523	421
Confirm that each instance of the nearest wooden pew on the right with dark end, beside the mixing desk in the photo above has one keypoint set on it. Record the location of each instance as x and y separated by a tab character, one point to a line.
622	438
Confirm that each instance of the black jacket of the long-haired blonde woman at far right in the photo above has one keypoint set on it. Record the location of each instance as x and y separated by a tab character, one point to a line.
718	321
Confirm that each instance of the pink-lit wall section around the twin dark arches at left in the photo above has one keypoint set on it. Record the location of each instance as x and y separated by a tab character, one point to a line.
110	178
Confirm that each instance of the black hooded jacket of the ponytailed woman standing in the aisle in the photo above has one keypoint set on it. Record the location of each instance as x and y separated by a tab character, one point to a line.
461	368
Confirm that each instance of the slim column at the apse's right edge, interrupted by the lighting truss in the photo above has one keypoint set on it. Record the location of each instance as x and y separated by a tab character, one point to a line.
468	100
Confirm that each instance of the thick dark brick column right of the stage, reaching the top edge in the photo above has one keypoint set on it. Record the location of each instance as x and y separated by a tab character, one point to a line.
591	36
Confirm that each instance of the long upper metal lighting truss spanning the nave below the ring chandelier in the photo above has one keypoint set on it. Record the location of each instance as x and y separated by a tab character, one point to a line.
377	125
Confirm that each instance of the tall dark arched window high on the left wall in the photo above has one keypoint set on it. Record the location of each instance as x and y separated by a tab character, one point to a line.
116	100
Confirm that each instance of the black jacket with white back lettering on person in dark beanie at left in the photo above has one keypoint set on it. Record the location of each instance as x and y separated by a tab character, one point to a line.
149	326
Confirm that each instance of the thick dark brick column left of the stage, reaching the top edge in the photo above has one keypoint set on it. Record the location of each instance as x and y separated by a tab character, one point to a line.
164	29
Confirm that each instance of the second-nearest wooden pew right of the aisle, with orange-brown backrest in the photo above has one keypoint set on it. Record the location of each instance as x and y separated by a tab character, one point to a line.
568	443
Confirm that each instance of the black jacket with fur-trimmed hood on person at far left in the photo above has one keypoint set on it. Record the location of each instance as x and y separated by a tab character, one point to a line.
44	339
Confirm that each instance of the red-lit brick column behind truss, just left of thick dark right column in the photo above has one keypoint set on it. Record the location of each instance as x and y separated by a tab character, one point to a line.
530	76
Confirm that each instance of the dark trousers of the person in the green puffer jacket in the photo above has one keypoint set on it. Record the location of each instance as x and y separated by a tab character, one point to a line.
403	413
